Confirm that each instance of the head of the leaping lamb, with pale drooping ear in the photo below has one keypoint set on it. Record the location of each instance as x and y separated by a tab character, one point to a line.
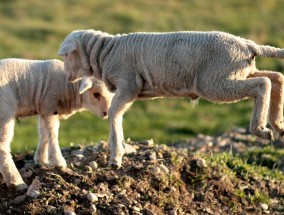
76	61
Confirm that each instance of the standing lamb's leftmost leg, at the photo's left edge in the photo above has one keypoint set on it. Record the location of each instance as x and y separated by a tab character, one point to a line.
8	168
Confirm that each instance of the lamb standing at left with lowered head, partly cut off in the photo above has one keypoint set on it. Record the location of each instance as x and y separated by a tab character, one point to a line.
29	87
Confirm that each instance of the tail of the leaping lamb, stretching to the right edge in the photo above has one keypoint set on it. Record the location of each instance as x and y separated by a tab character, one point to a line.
265	51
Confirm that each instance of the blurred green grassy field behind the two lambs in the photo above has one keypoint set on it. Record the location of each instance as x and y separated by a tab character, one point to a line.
34	29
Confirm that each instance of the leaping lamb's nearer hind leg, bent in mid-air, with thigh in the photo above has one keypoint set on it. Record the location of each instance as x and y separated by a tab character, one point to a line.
233	90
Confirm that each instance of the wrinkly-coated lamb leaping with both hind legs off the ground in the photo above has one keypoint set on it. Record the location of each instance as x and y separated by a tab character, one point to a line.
217	66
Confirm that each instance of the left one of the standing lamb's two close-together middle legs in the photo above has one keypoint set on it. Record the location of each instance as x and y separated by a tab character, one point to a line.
41	154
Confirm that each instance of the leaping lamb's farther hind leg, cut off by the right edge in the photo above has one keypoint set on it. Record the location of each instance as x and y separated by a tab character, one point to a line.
276	99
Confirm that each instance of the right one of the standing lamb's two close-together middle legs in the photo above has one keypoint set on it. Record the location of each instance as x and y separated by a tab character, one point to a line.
51	124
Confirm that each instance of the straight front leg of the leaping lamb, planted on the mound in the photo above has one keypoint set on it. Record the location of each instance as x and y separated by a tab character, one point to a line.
121	101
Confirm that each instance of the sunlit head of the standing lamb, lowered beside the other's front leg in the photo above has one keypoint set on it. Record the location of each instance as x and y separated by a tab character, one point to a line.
96	97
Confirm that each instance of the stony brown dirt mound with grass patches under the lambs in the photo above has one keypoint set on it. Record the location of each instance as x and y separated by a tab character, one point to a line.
155	179
